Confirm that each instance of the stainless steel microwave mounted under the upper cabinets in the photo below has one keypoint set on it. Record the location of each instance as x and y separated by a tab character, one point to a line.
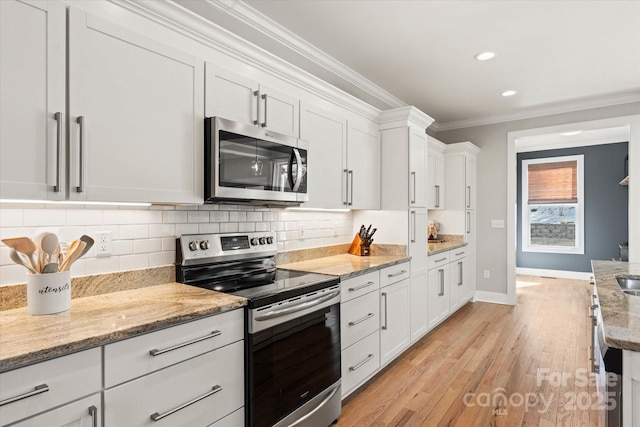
250	165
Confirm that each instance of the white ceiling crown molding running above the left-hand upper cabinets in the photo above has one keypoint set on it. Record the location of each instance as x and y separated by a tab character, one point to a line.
262	23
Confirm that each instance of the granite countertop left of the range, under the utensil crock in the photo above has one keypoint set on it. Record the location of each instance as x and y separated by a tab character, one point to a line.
97	320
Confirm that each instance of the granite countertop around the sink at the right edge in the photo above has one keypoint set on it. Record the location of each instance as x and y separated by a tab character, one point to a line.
620	312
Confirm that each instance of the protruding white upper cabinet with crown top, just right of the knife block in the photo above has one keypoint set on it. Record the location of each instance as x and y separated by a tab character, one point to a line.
404	154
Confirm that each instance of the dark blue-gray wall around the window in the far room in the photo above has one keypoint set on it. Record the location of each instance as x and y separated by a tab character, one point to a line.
605	202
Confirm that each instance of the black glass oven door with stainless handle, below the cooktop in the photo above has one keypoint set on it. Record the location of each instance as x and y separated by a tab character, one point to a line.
294	357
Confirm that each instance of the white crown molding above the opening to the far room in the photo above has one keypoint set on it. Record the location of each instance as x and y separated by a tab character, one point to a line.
546	110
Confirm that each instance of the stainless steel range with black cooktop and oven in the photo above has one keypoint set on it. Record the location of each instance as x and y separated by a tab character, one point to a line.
292	326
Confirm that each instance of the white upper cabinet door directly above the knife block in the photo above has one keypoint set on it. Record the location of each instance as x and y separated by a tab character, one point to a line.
363	159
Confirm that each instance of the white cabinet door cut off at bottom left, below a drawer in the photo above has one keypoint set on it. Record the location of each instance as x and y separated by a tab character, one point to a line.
83	413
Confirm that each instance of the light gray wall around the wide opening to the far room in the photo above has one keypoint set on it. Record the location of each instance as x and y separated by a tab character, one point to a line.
491	251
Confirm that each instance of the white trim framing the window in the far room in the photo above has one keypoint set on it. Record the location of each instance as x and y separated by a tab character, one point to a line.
578	249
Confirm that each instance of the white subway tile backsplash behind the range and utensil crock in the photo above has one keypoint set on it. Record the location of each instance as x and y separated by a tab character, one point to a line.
145	237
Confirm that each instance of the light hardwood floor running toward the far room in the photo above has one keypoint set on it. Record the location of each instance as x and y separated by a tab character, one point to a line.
493	365
